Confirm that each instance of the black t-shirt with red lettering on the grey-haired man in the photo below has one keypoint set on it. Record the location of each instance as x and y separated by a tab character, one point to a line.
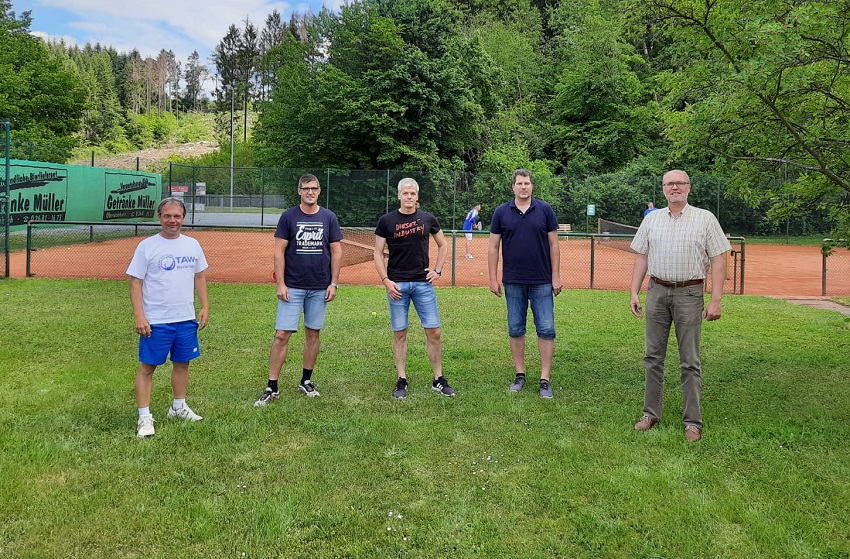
407	238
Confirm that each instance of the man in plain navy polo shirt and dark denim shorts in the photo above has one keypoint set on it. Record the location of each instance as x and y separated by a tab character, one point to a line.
526	229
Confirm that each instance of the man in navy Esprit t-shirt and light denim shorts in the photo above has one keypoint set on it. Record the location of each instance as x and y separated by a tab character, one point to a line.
307	261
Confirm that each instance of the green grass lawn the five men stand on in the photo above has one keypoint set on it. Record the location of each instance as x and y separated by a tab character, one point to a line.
355	473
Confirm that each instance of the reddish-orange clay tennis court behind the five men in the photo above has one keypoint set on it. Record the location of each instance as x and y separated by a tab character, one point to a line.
246	257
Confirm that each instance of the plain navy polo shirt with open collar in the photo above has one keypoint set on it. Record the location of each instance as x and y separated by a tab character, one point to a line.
525	241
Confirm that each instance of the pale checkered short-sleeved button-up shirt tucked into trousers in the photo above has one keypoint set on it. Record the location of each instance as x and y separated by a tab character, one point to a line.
679	248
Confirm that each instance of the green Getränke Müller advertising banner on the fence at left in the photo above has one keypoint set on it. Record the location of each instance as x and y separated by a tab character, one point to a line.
51	192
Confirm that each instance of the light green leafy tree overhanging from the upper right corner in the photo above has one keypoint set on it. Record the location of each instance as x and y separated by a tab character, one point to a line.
763	86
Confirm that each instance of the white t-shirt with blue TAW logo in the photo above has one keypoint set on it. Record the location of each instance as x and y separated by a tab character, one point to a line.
167	268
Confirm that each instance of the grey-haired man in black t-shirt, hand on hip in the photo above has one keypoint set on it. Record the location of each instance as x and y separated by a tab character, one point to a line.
408	277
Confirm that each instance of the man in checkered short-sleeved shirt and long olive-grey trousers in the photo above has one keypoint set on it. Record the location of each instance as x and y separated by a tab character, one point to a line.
678	245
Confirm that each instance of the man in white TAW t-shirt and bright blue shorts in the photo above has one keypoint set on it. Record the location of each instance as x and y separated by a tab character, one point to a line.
165	273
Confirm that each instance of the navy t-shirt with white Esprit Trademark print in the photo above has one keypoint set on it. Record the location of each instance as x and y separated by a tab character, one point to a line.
308	254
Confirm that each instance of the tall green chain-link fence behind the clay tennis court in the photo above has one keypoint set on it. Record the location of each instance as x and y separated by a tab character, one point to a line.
360	197
